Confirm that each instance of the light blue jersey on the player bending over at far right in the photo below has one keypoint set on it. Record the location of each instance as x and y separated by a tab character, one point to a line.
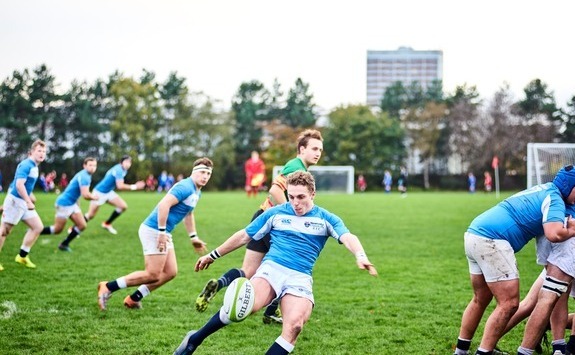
520	217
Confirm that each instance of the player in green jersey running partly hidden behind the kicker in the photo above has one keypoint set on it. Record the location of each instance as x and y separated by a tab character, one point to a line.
309	149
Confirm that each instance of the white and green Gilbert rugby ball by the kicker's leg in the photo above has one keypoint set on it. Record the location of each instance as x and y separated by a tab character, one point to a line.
239	299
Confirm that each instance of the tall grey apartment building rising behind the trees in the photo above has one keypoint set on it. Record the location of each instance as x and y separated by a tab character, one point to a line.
406	65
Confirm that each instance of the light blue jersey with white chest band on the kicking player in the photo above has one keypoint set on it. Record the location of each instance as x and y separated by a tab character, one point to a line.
296	241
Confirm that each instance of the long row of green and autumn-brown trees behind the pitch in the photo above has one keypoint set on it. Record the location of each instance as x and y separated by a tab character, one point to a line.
164	125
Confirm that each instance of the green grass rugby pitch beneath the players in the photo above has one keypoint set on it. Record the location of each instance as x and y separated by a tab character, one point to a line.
413	307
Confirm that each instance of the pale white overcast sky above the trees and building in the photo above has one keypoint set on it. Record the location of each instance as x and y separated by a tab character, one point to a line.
218	44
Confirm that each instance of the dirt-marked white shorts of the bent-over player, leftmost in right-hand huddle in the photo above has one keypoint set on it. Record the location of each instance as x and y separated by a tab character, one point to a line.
494	258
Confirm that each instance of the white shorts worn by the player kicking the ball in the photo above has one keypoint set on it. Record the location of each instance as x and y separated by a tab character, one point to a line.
284	280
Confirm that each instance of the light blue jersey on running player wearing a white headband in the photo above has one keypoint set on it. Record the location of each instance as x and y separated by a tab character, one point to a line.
187	194
